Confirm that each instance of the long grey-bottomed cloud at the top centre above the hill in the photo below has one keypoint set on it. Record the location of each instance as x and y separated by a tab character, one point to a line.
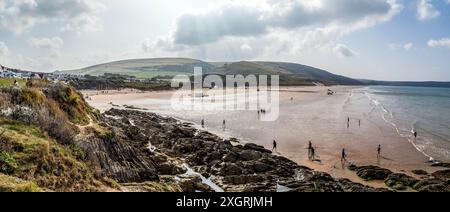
243	20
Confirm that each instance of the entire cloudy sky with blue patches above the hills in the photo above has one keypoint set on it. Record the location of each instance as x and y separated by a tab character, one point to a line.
370	39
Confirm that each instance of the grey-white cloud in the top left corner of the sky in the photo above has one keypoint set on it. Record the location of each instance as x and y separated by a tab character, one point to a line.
20	15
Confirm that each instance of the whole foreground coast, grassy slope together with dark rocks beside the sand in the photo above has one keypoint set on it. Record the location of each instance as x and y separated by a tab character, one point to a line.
52	140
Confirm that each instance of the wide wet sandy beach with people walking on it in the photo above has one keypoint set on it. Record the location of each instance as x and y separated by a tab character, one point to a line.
306	114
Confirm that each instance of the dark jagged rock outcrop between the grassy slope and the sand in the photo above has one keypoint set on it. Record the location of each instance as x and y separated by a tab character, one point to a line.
247	167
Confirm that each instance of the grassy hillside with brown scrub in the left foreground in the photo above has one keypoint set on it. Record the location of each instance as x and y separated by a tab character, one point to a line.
37	123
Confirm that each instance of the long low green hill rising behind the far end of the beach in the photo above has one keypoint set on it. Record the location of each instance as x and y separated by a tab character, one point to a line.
290	73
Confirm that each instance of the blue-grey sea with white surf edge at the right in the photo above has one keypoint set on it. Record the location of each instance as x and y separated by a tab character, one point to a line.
424	110
